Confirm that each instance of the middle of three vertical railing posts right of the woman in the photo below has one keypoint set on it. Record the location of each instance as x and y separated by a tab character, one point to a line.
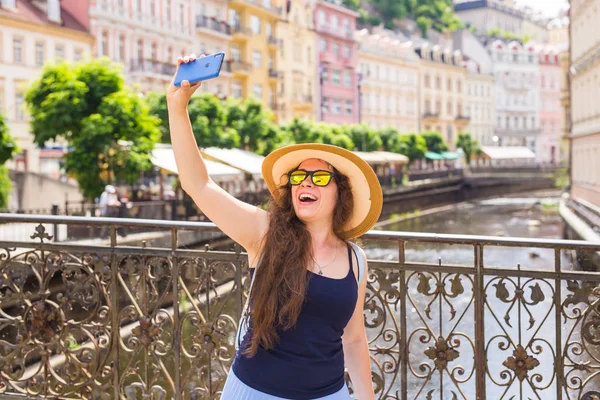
480	356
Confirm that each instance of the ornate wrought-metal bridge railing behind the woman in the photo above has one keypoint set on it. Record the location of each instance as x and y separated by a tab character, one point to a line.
447	316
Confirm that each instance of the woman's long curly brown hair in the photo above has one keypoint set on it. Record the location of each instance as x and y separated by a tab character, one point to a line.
282	279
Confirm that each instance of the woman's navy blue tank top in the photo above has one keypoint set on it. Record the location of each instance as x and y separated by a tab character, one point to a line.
308	361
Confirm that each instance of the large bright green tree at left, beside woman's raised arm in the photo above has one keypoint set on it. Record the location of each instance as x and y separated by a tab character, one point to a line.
107	125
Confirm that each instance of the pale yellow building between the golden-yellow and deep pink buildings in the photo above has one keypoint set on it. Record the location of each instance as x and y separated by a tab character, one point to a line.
296	62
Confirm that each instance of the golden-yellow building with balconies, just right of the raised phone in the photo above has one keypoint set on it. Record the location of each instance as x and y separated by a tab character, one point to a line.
253	49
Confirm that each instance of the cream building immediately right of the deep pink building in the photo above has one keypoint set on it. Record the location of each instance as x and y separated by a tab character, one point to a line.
389	86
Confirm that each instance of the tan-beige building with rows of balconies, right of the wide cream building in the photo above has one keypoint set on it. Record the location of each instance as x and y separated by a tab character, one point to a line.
442	92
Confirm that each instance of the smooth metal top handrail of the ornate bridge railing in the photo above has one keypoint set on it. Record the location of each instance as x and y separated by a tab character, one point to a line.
444	238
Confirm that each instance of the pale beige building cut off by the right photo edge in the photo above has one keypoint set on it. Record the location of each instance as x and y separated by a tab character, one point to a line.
585	86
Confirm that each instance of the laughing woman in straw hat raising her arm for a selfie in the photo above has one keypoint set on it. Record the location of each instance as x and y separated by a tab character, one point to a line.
306	318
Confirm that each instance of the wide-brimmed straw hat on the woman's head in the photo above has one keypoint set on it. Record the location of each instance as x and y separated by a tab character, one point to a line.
368	198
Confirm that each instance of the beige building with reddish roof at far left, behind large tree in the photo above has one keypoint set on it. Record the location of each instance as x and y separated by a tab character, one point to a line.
33	33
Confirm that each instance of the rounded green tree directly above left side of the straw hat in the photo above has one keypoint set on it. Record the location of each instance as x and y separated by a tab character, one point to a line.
254	125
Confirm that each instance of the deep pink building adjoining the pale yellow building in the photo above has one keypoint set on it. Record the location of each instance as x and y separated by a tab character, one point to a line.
337	92
